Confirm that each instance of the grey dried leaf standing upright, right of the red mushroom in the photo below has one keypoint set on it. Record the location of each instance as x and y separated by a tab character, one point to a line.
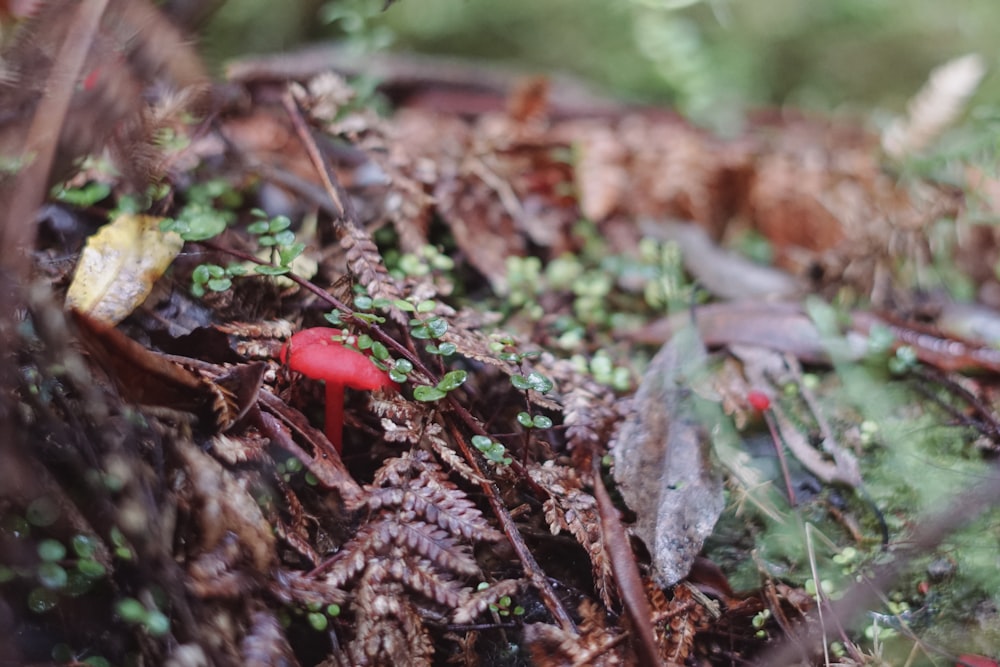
663	464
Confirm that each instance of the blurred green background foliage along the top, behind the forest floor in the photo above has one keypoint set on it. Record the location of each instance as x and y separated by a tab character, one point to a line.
710	58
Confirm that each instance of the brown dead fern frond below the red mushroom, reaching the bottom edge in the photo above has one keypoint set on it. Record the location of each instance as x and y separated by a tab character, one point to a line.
411	559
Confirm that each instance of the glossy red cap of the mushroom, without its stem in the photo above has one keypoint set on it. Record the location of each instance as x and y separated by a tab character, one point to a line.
315	354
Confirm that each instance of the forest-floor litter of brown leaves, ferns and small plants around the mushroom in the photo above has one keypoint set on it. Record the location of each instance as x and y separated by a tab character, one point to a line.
467	516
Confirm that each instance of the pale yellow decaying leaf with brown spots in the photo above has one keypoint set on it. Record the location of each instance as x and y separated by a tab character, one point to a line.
119	265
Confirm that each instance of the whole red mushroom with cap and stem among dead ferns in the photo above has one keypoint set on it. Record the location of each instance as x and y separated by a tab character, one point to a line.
315	354
